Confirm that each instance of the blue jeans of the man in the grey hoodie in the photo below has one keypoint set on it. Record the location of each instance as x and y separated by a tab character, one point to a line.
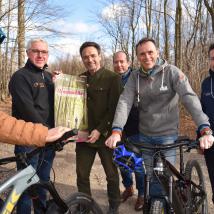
155	188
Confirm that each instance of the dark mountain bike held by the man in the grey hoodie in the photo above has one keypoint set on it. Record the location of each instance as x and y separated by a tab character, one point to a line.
183	190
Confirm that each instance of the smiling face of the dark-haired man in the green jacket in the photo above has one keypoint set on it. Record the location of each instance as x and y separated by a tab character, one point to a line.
91	59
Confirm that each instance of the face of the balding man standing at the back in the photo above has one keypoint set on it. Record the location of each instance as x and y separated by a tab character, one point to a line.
120	63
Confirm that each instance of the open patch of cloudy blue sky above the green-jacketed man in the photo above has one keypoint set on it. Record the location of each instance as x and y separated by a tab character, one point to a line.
80	23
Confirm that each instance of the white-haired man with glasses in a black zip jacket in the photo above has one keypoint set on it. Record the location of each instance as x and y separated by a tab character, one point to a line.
32	93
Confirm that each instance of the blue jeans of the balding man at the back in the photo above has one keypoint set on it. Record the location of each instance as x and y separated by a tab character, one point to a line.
127	179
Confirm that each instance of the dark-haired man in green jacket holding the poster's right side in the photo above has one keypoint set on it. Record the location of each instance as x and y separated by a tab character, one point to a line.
103	91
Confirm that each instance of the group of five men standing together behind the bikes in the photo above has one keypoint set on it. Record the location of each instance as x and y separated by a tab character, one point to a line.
141	104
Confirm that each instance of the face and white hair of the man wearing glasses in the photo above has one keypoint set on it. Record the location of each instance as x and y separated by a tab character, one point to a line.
38	54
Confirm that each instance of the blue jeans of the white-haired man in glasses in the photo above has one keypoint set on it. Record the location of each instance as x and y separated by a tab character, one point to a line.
42	163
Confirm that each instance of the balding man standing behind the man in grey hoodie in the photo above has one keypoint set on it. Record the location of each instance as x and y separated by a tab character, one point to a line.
121	66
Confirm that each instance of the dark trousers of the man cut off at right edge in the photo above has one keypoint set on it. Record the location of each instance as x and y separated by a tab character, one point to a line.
209	158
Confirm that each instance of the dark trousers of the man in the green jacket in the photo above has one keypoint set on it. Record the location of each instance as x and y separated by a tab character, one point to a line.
85	155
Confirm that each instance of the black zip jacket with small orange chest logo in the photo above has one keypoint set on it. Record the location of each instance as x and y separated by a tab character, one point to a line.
32	93
